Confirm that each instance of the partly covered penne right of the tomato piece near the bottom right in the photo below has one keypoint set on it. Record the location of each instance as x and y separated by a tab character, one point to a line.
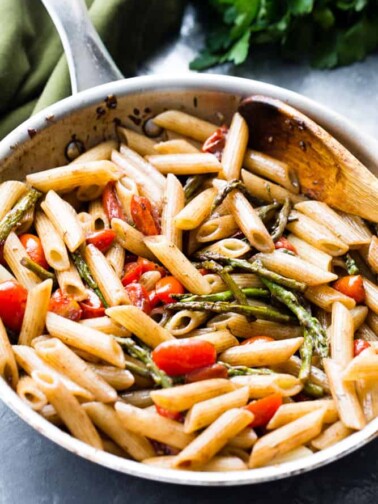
289	412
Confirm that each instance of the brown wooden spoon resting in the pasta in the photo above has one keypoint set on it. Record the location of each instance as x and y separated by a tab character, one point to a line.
326	170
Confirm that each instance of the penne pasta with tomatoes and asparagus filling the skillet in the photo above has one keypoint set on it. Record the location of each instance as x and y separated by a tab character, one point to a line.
181	302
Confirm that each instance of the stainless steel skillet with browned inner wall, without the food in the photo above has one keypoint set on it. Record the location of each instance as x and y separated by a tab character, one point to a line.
89	116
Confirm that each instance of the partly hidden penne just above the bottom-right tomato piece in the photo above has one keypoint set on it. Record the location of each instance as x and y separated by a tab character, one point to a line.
263	385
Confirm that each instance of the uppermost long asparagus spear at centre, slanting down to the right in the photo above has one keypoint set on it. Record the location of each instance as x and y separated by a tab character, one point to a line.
255	267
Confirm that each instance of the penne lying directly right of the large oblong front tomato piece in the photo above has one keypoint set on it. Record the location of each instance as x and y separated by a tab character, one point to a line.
262	353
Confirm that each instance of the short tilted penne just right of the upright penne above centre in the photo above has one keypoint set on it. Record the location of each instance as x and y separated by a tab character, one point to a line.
196	211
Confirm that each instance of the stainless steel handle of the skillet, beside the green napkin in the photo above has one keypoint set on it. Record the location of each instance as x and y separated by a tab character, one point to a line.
89	62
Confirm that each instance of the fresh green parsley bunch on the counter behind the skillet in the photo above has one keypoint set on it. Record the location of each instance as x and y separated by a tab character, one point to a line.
329	32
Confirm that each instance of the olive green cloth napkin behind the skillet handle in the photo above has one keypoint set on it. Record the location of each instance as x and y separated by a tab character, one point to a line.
33	71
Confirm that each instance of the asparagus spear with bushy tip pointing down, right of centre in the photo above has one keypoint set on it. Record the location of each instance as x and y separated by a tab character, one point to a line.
289	299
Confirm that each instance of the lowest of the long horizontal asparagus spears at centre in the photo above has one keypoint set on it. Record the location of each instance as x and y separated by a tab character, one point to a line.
261	312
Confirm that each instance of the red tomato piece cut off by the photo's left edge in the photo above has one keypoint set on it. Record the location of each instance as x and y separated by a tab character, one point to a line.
13	298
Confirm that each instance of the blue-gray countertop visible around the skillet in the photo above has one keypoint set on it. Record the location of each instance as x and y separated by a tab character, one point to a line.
35	471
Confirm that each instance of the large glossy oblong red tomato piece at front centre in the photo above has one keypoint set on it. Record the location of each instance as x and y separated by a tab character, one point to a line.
178	357
